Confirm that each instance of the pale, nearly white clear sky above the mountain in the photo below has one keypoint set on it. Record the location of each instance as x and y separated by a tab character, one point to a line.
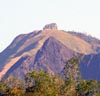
24	16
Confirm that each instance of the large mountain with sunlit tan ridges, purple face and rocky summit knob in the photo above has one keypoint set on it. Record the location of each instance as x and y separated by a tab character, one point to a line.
46	49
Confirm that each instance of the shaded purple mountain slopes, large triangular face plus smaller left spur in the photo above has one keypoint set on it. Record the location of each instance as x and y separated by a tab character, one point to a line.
51	57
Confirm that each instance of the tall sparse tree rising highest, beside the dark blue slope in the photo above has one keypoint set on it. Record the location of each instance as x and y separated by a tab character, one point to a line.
71	69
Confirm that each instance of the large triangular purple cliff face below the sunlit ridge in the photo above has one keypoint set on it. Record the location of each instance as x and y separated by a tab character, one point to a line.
52	56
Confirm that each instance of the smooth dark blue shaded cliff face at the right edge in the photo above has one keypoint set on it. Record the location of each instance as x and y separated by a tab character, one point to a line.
90	67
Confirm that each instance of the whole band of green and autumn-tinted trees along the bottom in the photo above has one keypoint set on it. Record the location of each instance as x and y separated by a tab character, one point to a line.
41	83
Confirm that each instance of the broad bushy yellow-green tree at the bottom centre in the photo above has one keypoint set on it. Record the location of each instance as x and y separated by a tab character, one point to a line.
44	84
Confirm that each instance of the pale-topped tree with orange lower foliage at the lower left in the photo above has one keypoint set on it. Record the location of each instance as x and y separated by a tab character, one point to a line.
17	87
